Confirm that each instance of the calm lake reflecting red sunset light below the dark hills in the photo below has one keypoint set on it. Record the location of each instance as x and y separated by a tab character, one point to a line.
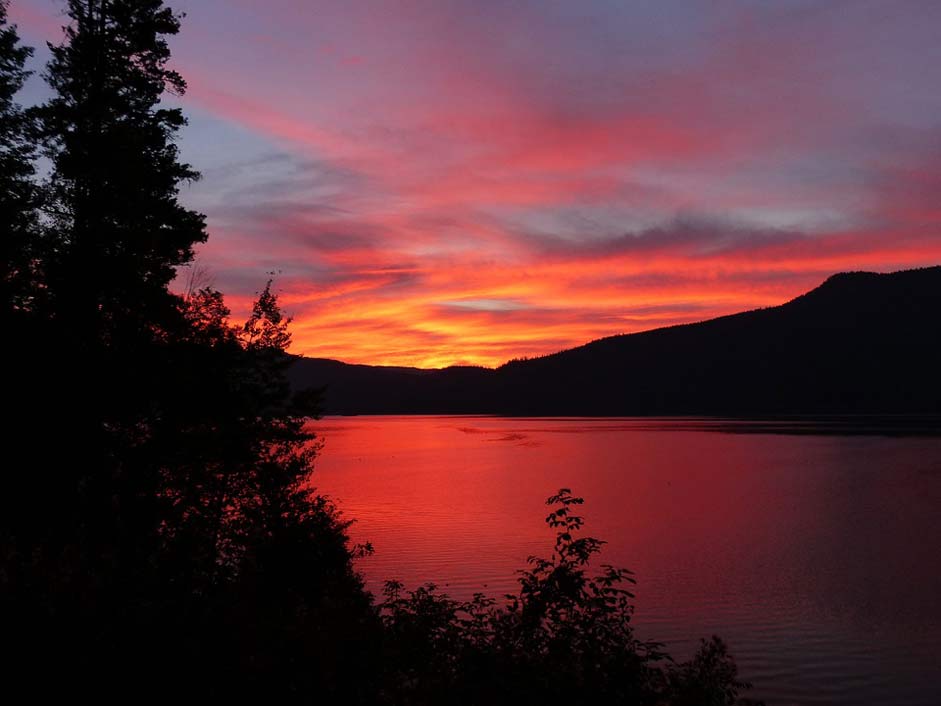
816	557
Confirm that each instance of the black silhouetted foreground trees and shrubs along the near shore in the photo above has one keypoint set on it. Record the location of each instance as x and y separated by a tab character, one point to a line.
159	536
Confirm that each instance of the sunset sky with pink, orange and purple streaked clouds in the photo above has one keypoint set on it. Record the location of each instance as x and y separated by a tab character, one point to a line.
466	182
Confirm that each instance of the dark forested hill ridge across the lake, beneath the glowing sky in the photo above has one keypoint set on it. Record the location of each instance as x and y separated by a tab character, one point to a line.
859	343
